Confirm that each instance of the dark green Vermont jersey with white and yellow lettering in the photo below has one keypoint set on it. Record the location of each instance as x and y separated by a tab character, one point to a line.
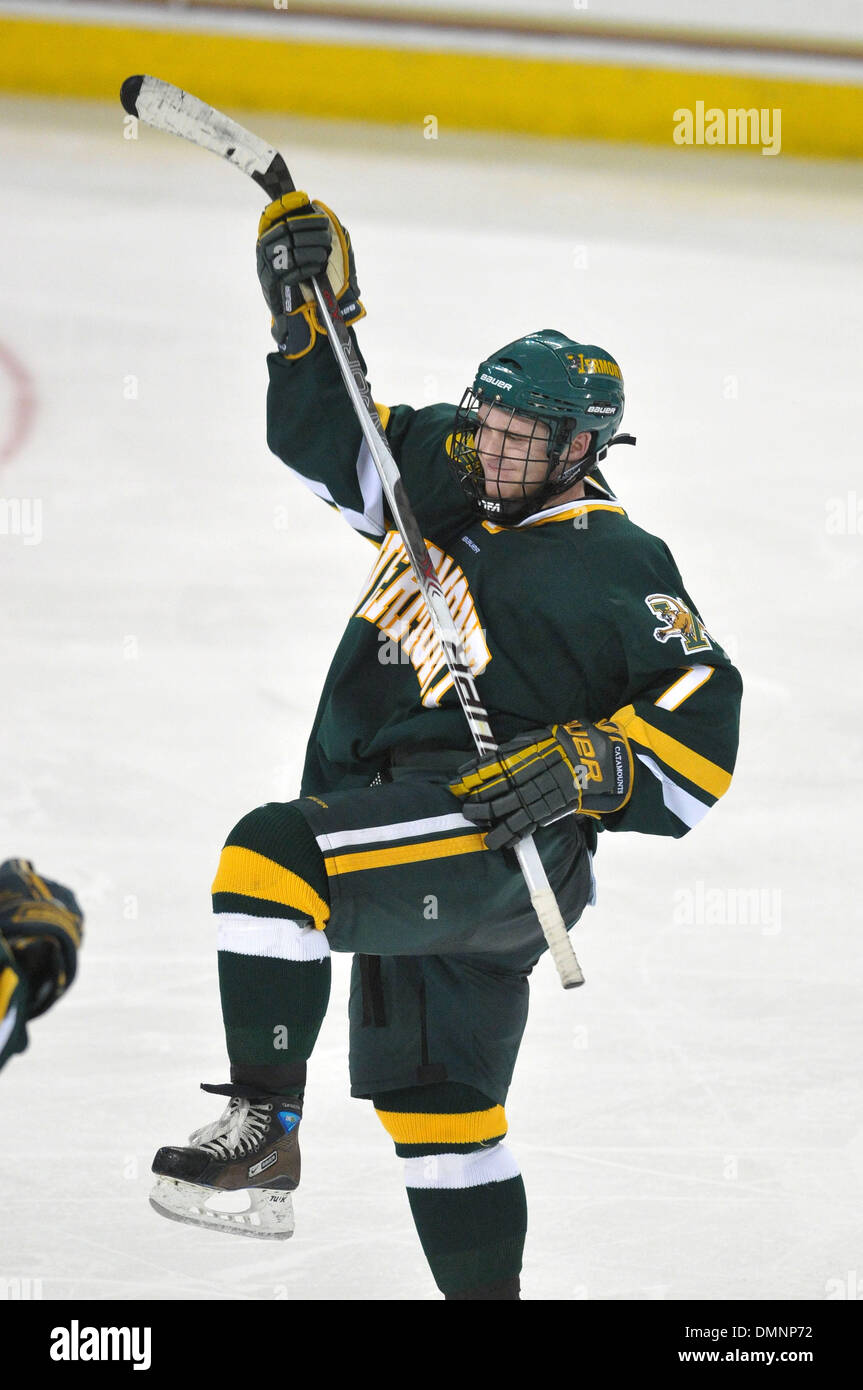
573	614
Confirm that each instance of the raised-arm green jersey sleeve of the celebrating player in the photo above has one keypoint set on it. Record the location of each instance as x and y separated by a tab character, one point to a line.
313	429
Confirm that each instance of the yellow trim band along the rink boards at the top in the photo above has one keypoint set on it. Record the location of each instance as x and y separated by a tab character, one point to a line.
461	91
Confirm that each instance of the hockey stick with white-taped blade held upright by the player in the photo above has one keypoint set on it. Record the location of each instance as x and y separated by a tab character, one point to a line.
170	109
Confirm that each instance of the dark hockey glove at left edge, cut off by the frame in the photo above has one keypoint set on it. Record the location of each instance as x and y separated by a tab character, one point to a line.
44	928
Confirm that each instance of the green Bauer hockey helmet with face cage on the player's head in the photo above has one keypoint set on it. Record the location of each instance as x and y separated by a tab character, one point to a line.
527	404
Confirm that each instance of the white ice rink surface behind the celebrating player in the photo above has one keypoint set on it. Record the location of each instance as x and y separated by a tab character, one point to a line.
690	1122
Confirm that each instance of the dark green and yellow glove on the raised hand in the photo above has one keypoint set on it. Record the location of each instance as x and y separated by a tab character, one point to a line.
297	241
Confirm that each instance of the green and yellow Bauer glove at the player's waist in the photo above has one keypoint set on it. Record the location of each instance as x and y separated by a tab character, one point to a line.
539	778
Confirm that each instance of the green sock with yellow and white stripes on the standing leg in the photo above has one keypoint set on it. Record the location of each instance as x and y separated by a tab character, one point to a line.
463	1185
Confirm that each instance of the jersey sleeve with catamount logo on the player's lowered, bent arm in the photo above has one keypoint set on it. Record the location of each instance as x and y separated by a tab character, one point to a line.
680	711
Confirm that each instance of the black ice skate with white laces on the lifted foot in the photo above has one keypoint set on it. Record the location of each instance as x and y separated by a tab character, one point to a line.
238	1174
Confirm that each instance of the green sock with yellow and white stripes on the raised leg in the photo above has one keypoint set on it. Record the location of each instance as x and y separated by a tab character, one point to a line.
272	903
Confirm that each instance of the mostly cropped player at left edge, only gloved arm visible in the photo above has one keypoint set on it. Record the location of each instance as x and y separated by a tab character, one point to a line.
41	931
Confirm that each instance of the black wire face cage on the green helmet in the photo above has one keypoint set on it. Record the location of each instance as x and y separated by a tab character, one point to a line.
526	448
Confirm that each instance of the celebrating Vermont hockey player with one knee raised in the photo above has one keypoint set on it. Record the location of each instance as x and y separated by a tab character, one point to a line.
615	710
